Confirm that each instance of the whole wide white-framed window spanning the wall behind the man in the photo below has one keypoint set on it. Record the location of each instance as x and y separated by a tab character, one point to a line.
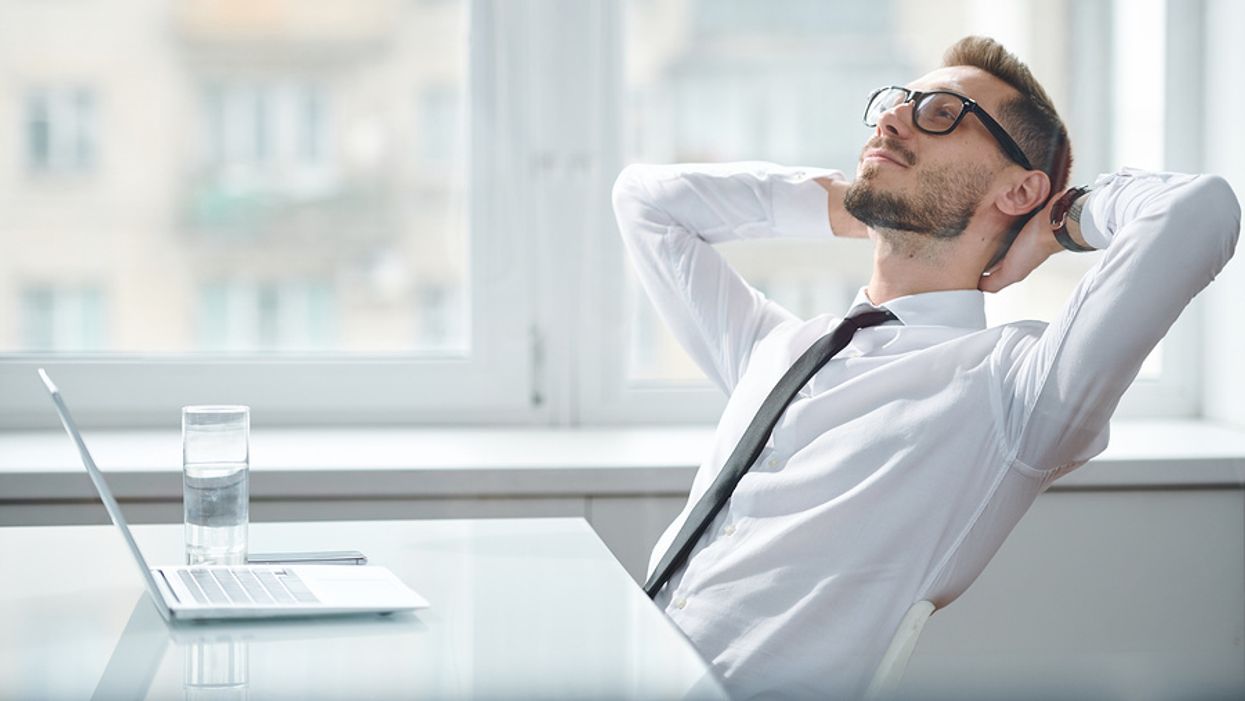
400	212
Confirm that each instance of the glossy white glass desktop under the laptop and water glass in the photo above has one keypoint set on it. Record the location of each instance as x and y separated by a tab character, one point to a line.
521	609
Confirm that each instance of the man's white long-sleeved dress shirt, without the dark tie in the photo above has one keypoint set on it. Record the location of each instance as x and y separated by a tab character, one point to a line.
903	465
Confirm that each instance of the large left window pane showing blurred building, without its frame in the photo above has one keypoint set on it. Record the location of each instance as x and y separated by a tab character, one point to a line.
250	177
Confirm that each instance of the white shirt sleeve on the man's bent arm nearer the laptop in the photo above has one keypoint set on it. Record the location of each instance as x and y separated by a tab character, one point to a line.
670	216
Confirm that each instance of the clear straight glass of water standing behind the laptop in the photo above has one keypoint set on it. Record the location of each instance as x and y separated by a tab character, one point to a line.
216	461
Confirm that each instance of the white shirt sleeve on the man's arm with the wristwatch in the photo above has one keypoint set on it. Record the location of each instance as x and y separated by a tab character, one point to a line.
1166	237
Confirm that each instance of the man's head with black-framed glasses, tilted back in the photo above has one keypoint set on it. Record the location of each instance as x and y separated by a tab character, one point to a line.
913	182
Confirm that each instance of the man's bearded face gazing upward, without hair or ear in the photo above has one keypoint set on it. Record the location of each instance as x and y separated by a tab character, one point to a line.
913	181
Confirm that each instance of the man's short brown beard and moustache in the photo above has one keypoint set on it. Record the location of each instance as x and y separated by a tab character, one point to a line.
942	209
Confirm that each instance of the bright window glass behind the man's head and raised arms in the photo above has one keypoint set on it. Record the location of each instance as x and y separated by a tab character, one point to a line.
733	80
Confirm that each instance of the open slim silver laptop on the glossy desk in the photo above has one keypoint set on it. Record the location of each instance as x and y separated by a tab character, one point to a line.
250	592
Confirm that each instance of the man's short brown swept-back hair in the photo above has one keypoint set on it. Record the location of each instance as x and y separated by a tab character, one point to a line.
1029	118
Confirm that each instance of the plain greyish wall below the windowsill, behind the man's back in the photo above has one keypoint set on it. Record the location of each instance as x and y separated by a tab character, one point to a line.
1130	595
